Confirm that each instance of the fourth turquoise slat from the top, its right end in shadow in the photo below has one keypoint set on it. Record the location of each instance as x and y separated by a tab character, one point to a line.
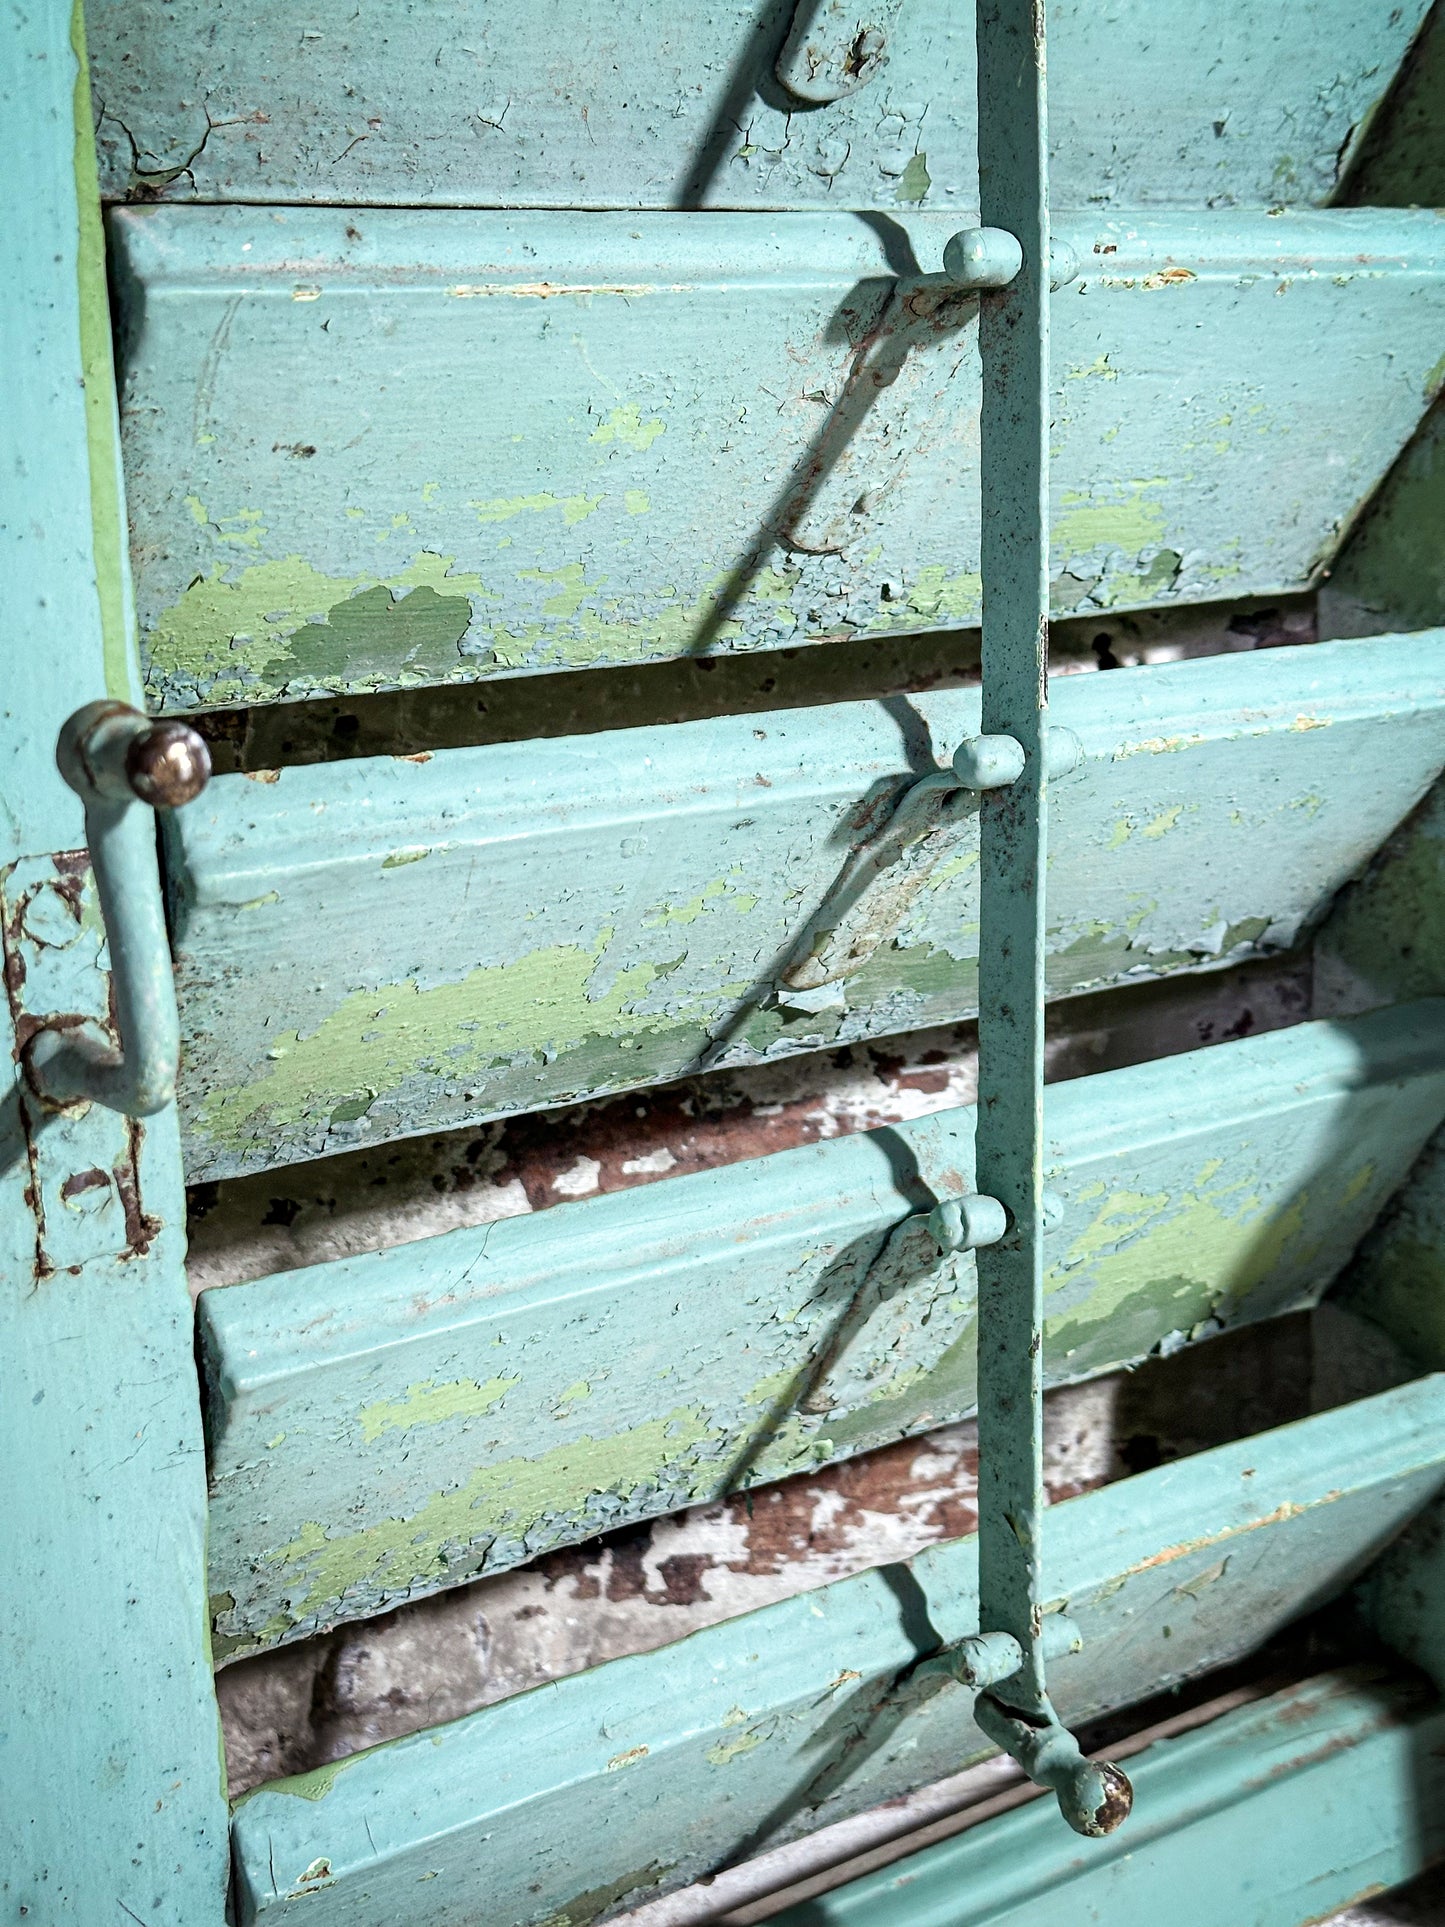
415	1417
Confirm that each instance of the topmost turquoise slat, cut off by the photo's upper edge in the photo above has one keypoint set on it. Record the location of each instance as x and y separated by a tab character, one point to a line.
573	105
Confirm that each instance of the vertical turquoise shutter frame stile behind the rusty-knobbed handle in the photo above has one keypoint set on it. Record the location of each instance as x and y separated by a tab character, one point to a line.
111	1778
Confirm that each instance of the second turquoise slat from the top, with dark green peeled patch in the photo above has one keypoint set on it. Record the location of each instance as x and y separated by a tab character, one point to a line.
371	450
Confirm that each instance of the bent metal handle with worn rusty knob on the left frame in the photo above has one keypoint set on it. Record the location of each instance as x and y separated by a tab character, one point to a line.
122	766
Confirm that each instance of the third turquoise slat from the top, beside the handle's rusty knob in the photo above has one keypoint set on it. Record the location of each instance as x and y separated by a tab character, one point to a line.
386	947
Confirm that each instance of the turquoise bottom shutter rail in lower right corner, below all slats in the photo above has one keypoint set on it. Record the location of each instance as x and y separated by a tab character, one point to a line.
1276	1814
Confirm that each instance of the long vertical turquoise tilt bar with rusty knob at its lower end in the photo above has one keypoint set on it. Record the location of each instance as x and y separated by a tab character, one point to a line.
1014	833
